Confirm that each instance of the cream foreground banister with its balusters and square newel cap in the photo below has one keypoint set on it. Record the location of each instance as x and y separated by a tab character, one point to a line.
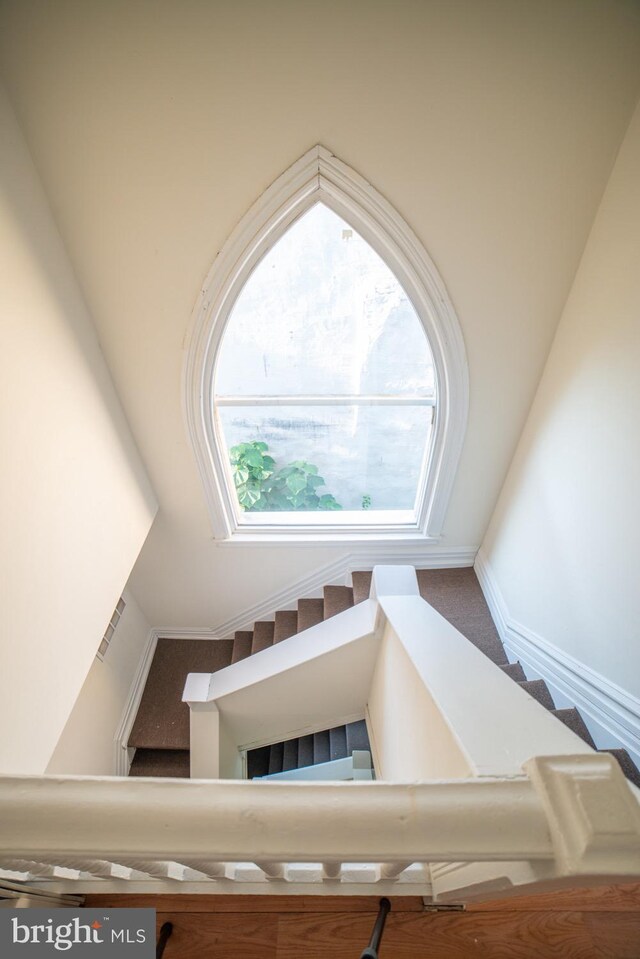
572	816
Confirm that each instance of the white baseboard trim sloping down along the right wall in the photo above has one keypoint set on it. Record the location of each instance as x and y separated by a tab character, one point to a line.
609	706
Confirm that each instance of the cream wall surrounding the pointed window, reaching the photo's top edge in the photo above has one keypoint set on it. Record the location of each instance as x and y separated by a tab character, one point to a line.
491	125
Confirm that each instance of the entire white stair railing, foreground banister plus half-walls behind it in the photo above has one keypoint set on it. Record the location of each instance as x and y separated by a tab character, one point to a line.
455	812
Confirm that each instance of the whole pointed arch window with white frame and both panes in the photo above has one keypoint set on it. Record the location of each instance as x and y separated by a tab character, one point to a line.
326	384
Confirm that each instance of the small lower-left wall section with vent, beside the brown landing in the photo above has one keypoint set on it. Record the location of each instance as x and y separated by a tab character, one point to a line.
86	746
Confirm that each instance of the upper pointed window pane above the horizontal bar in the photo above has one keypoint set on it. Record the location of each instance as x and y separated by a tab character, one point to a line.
322	314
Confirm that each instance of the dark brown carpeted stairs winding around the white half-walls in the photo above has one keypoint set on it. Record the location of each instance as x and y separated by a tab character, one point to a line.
160	733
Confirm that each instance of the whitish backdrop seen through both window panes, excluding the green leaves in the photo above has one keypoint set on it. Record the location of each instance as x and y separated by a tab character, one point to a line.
325	361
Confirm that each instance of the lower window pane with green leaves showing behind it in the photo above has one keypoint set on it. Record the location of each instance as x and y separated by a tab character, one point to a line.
368	456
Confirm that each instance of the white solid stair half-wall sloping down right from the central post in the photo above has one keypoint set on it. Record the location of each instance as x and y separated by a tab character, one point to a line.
473	719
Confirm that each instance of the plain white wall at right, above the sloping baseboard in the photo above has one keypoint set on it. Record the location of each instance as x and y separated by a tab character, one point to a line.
563	543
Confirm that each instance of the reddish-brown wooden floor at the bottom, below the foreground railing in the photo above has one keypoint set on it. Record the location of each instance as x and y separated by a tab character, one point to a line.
599	923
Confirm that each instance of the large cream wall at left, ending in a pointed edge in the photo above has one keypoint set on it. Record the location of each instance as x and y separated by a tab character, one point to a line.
75	504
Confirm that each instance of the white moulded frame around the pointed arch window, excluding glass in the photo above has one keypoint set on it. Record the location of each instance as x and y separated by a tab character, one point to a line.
321	177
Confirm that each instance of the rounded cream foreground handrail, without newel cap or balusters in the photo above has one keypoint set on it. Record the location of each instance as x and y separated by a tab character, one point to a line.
291	822
